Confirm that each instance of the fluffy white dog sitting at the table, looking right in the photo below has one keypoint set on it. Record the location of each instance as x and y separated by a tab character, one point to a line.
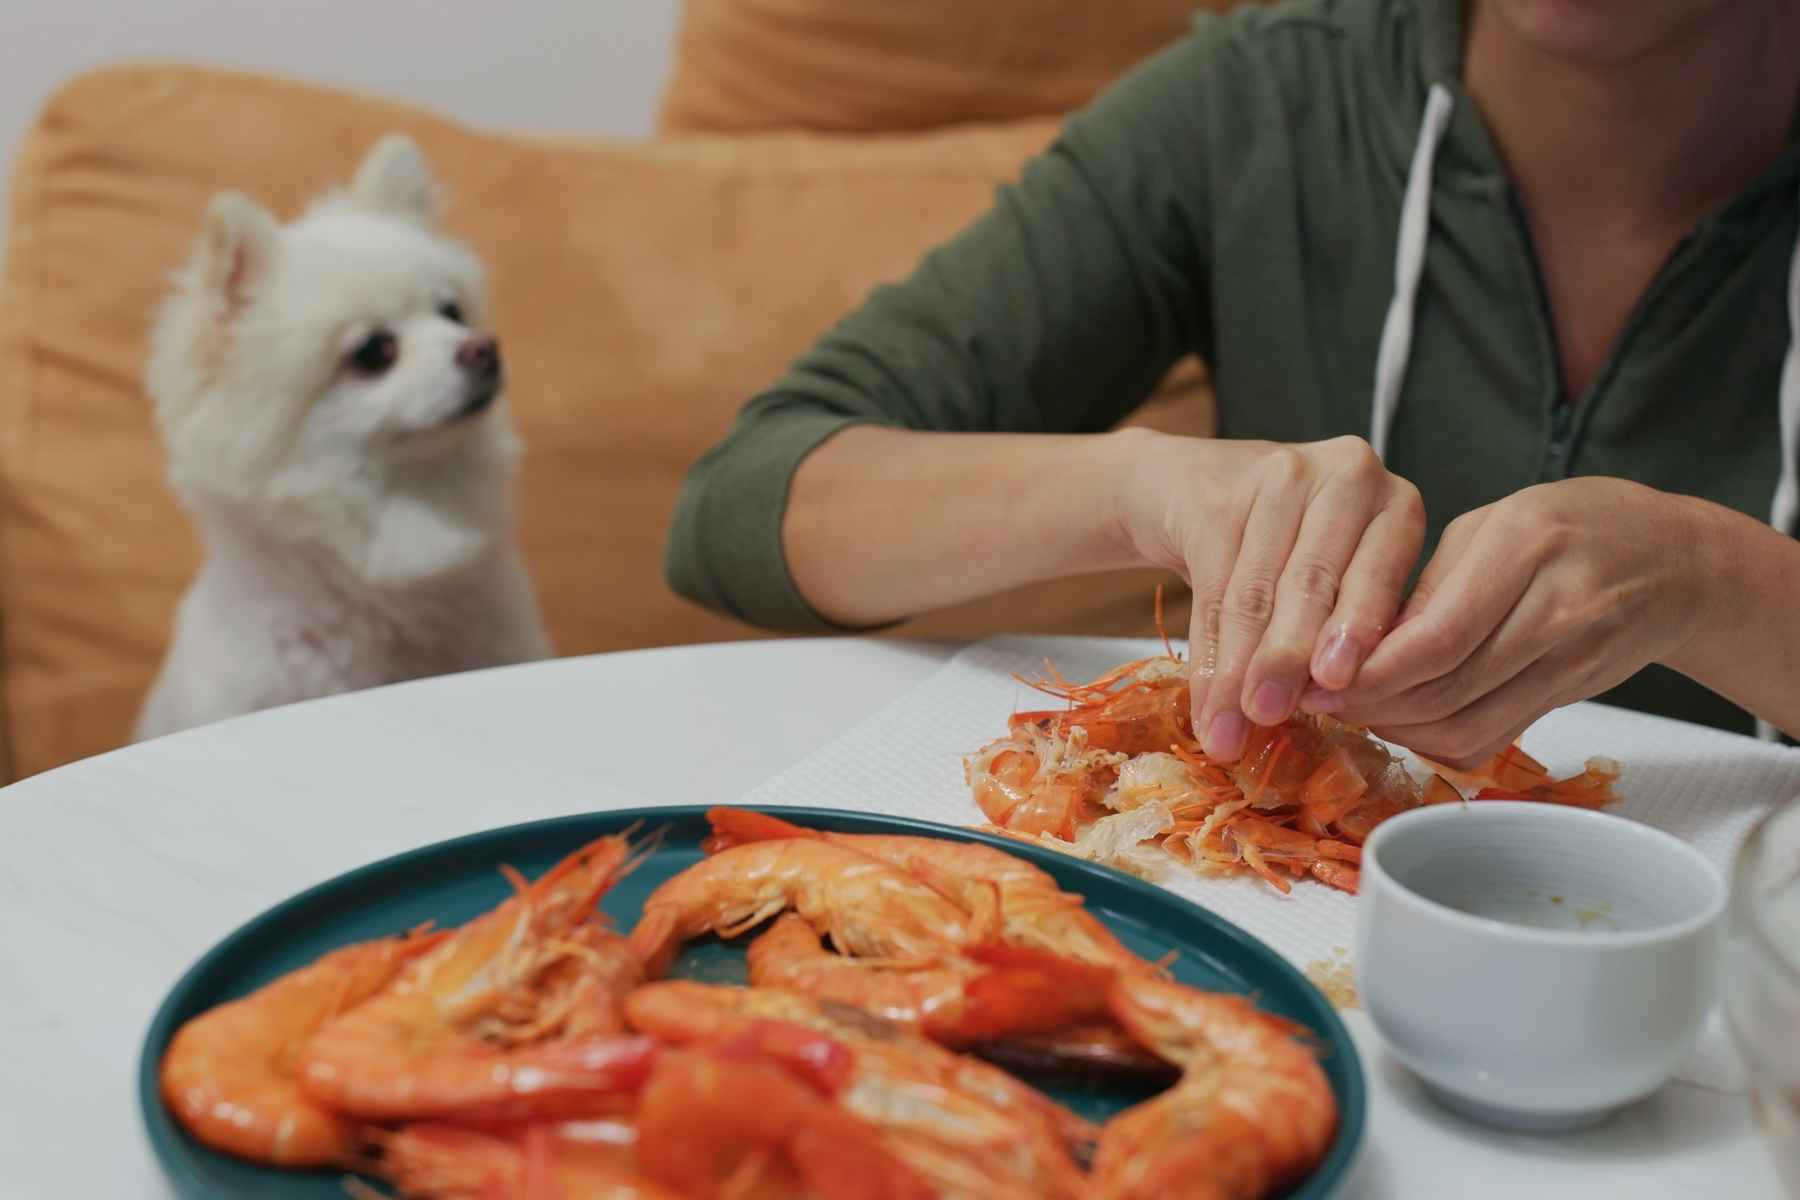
332	420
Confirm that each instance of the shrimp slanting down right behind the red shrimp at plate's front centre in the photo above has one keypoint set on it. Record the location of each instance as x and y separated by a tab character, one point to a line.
964	1127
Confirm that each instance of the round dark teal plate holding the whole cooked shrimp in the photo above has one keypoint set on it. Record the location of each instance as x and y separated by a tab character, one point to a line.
456	881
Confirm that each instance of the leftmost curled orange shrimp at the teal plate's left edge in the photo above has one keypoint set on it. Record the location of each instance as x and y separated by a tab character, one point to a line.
229	1073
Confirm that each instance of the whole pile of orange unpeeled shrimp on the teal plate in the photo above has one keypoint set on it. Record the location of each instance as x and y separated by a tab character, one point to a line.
539	1055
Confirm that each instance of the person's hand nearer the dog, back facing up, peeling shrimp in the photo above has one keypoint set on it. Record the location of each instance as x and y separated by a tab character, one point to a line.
1299	559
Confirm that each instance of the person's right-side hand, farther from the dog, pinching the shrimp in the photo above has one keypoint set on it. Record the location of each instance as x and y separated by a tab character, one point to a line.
1531	604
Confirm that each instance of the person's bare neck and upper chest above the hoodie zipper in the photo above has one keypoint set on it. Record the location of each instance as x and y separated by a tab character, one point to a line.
1648	147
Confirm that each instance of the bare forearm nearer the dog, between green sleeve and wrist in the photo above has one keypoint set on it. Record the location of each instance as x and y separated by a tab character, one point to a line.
885	524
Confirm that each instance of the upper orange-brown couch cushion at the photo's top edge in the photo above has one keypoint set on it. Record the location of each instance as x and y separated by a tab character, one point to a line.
859	66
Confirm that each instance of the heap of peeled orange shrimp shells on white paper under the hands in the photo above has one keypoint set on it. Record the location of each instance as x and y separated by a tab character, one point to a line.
1119	778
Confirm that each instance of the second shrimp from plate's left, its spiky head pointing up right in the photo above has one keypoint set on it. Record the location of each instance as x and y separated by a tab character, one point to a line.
512	1017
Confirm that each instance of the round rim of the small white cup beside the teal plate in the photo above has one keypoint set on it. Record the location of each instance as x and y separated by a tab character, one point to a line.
1547	814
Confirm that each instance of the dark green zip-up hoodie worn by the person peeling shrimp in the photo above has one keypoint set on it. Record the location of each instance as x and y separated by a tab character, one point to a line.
1239	197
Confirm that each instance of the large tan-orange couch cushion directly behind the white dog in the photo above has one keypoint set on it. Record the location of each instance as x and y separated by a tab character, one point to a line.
643	292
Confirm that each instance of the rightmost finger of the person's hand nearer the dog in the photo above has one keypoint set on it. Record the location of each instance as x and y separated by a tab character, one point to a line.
1374	586
